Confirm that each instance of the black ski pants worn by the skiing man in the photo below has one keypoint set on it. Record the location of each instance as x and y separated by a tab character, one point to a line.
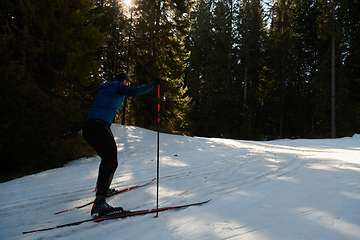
98	134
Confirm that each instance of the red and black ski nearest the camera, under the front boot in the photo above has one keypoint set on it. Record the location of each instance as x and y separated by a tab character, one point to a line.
125	214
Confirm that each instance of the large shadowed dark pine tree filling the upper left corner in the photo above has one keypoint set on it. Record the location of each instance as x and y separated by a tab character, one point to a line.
50	68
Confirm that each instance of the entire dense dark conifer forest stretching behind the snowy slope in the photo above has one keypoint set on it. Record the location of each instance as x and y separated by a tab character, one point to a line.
246	69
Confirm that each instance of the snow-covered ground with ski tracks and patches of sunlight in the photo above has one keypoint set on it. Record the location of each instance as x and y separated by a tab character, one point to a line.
284	189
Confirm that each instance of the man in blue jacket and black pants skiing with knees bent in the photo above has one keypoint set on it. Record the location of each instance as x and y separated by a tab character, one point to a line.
97	133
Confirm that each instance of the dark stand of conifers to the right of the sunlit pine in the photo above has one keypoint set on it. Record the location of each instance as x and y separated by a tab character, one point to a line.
254	73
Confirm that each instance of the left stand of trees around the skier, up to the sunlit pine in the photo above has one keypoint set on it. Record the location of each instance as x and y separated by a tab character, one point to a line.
55	55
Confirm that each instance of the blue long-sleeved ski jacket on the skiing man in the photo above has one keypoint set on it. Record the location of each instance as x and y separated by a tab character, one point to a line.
110	97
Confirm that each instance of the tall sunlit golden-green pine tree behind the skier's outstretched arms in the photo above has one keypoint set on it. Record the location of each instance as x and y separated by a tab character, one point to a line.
157	50
